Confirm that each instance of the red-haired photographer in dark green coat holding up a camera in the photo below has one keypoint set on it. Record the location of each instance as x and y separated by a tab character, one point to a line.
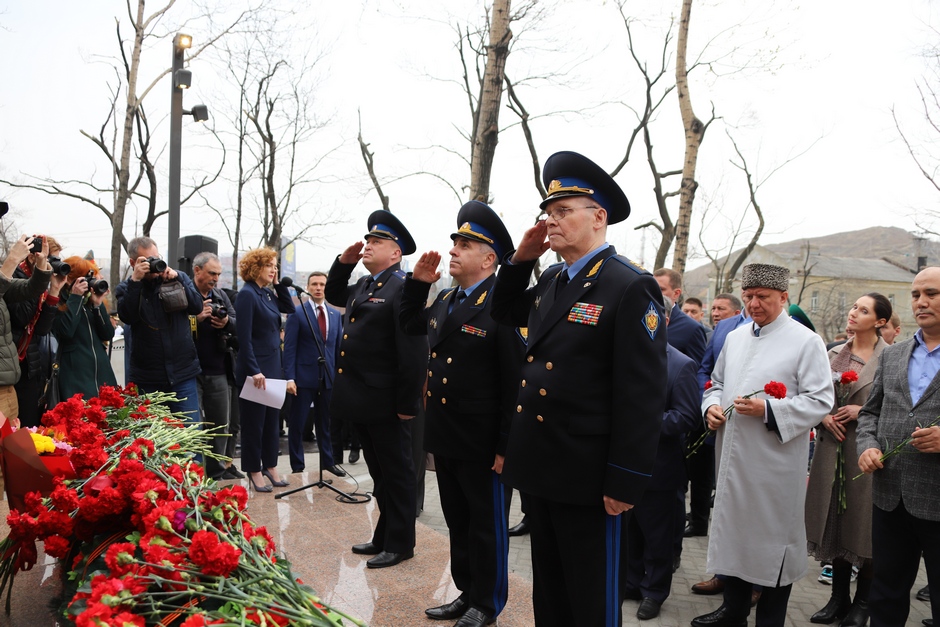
83	327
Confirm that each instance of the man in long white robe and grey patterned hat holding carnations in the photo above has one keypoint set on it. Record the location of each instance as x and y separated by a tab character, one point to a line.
757	533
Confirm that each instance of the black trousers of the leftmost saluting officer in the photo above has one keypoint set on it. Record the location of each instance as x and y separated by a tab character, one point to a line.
386	447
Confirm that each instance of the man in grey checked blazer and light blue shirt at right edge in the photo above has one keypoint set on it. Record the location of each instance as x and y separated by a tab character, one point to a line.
905	487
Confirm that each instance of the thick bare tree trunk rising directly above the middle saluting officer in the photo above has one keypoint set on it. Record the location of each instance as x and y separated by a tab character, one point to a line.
487	127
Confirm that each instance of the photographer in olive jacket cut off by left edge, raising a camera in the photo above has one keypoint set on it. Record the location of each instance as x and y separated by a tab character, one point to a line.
14	291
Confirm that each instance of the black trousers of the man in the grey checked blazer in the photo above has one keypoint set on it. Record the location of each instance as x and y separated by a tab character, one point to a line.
898	538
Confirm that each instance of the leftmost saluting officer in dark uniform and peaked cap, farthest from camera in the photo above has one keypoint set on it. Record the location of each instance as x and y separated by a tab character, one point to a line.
379	375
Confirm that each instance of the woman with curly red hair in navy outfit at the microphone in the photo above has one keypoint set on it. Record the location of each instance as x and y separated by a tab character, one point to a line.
258	323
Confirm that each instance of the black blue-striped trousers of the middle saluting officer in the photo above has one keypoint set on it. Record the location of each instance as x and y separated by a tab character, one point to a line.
475	505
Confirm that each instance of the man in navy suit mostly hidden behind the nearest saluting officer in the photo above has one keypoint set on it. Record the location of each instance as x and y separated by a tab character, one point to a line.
648	571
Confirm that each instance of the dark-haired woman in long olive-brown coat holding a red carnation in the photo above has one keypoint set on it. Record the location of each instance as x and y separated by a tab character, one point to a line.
838	510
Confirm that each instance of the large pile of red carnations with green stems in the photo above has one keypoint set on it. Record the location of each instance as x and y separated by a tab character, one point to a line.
148	538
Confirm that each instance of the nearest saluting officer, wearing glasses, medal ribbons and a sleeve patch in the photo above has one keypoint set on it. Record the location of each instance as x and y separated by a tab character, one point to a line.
591	396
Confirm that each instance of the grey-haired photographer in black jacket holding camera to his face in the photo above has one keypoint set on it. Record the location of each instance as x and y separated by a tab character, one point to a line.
156	301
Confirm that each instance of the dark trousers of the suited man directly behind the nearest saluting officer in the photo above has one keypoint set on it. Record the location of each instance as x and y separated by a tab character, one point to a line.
648	563
